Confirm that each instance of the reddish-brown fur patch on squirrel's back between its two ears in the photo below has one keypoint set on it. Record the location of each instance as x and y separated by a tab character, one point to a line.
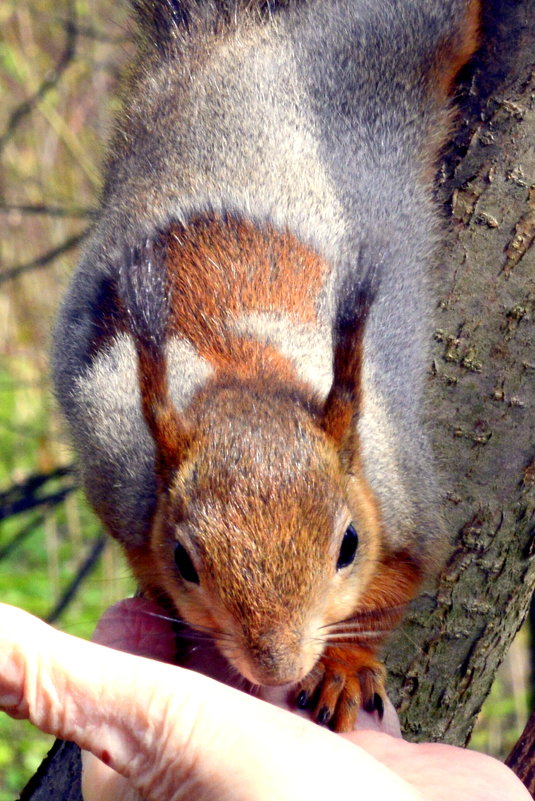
221	268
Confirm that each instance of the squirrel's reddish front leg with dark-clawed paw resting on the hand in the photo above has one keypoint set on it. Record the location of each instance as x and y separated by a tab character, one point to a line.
349	674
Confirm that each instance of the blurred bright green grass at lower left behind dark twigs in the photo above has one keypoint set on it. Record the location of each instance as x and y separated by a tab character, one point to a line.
39	569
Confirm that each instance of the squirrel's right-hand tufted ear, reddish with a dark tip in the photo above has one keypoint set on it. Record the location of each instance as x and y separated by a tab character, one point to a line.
344	400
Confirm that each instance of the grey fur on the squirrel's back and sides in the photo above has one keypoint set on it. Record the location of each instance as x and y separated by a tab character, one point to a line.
312	115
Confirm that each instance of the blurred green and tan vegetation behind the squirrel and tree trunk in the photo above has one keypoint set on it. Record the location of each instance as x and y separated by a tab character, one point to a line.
58	66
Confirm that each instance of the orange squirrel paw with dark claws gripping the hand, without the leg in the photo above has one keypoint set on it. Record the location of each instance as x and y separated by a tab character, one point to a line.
340	683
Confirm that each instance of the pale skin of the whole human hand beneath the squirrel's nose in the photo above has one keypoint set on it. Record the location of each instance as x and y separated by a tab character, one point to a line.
166	733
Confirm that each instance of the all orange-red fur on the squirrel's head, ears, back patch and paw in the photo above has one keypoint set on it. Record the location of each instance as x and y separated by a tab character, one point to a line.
253	422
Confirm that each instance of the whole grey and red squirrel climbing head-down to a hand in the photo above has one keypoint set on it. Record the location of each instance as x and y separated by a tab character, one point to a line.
241	354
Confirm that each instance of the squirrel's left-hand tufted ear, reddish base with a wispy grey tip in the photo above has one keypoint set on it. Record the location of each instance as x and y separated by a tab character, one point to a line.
144	296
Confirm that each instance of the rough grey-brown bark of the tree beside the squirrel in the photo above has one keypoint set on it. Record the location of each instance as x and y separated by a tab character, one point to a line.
481	396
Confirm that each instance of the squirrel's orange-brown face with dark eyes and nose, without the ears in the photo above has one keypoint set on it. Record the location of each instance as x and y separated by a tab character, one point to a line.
261	537
